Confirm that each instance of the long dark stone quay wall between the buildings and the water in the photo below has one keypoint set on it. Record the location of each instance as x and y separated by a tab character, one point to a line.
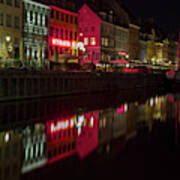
18	85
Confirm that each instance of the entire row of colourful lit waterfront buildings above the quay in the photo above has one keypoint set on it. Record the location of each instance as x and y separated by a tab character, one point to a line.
35	31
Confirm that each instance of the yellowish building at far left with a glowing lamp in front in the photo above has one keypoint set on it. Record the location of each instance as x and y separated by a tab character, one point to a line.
10	29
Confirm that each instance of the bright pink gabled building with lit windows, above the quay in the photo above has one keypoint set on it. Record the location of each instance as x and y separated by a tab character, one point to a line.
90	35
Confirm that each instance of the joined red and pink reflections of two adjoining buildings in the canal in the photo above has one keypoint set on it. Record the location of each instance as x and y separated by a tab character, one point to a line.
78	134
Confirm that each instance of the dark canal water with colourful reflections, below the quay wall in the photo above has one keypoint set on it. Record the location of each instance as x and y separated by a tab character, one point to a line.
129	135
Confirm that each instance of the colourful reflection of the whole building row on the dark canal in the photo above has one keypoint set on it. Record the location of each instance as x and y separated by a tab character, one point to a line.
52	135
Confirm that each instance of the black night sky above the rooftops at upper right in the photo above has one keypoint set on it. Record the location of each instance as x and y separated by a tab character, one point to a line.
164	13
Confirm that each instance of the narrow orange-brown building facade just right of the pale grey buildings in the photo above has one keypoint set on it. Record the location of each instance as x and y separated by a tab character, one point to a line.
133	44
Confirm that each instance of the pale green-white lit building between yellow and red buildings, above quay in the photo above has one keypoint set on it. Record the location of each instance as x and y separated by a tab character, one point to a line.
35	34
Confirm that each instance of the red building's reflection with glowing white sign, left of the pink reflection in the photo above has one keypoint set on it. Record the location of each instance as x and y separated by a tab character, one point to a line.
60	139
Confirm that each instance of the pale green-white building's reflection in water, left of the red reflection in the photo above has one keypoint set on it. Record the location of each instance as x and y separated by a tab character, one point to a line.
34	147
